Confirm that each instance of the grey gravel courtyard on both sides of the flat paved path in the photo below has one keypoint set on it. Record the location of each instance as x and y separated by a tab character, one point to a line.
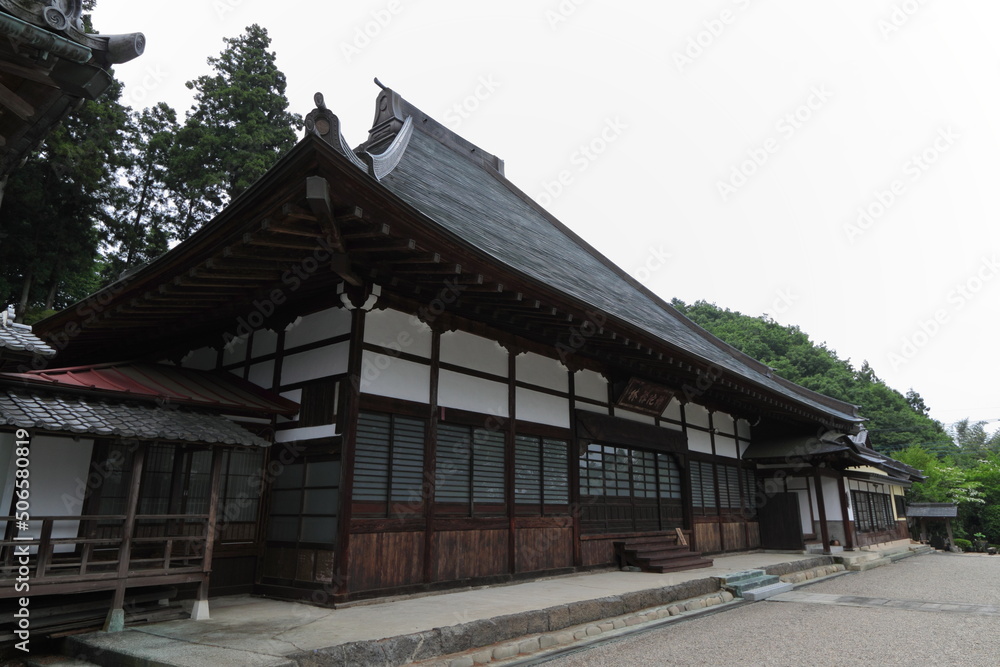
792	634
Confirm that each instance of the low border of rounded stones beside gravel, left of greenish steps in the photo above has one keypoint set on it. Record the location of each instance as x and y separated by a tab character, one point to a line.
580	635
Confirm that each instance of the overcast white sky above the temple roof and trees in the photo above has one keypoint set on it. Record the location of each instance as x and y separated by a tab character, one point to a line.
732	144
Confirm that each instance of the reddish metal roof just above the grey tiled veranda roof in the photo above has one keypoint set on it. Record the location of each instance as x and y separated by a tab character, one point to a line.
217	391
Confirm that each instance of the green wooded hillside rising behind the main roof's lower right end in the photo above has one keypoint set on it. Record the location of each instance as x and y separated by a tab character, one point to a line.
895	421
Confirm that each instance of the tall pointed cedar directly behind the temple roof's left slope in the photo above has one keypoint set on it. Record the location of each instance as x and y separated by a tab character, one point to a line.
237	128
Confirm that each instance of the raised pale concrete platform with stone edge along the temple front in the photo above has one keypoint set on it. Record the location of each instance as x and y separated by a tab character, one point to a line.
264	632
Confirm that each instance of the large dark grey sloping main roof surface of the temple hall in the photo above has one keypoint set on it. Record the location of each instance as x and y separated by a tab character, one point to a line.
485	210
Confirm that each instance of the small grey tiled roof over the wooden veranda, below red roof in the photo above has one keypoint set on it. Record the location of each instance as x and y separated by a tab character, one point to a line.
78	415
